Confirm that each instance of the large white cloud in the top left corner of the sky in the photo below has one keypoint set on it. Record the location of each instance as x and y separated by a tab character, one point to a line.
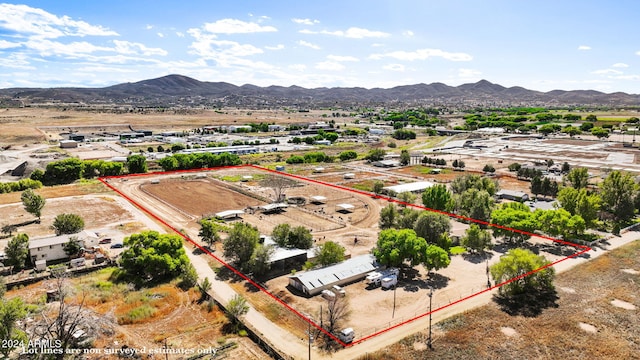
29	21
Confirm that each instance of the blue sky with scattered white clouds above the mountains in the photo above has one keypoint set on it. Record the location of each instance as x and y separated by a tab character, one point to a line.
541	45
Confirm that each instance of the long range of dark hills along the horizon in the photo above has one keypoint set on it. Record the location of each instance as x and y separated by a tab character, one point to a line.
178	90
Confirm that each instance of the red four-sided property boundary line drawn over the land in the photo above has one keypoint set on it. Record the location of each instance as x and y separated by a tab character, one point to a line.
581	249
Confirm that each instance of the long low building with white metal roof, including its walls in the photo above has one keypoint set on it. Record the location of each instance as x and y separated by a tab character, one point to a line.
313	282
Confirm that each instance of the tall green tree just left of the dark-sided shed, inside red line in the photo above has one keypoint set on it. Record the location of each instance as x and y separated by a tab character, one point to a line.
241	243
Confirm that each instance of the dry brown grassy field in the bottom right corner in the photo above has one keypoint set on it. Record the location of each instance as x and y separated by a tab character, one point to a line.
581	324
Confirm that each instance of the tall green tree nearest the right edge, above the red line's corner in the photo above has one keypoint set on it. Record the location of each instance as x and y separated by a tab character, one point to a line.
618	191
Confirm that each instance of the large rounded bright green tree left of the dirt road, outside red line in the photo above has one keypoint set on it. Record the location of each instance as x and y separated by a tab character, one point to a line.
151	256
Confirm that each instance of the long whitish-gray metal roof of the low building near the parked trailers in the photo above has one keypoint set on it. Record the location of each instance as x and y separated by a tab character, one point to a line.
358	265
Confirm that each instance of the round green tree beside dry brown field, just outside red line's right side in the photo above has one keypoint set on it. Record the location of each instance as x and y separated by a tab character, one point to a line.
518	262
